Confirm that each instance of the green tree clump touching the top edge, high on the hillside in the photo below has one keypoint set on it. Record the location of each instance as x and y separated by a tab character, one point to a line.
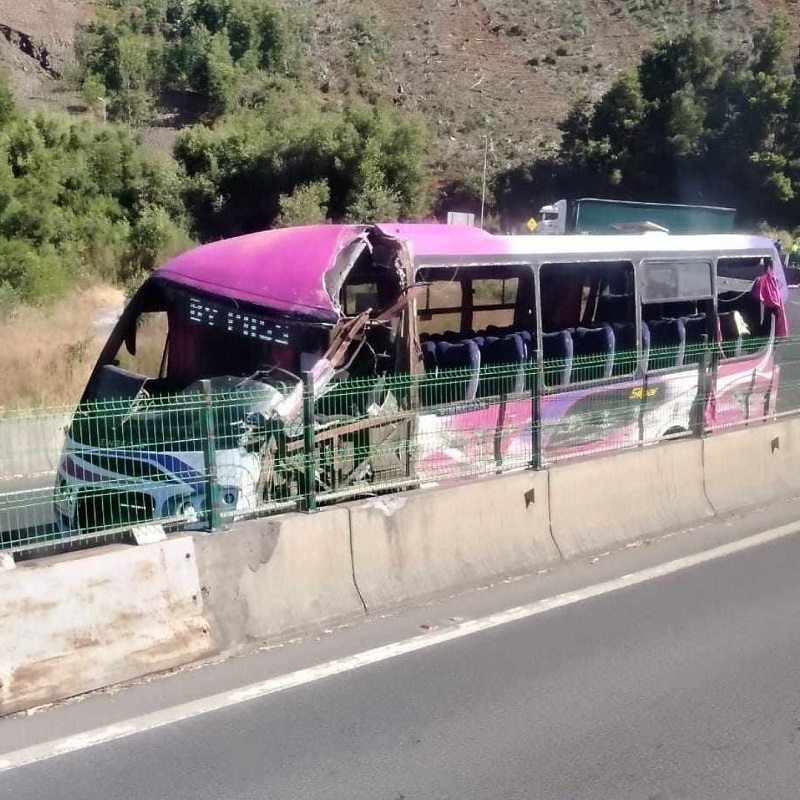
135	49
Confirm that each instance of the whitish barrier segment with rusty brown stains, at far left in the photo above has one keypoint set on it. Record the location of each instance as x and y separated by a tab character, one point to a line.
77	622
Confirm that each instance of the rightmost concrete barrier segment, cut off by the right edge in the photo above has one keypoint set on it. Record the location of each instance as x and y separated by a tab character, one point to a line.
753	466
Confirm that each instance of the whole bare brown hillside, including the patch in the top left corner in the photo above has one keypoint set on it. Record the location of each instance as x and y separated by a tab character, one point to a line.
504	70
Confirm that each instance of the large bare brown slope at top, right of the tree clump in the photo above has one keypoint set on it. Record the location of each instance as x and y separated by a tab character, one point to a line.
509	70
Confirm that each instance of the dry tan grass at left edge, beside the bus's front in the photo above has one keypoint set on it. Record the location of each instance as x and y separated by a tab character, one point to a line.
47	354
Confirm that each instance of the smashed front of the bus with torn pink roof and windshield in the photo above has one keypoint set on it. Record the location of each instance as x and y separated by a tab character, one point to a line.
199	390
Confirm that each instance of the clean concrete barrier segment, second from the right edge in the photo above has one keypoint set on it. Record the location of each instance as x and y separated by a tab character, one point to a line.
605	502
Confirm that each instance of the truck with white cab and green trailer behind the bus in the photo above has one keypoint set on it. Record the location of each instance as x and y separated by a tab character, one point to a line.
592	215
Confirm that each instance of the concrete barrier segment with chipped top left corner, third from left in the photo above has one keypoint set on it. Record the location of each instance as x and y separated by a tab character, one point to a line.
413	545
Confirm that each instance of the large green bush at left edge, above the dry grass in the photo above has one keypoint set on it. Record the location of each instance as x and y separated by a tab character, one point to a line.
78	203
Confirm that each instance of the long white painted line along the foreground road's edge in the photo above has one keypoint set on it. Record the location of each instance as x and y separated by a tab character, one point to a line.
206	705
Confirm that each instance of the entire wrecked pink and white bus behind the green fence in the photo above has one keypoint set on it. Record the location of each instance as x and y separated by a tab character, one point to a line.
612	341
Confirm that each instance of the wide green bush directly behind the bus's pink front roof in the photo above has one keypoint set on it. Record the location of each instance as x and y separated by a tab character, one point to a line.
241	173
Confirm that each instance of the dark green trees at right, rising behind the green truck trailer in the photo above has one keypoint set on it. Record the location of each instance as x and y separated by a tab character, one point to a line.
691	124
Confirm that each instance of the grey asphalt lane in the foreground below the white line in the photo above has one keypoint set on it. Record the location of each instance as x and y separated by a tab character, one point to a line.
682	687
